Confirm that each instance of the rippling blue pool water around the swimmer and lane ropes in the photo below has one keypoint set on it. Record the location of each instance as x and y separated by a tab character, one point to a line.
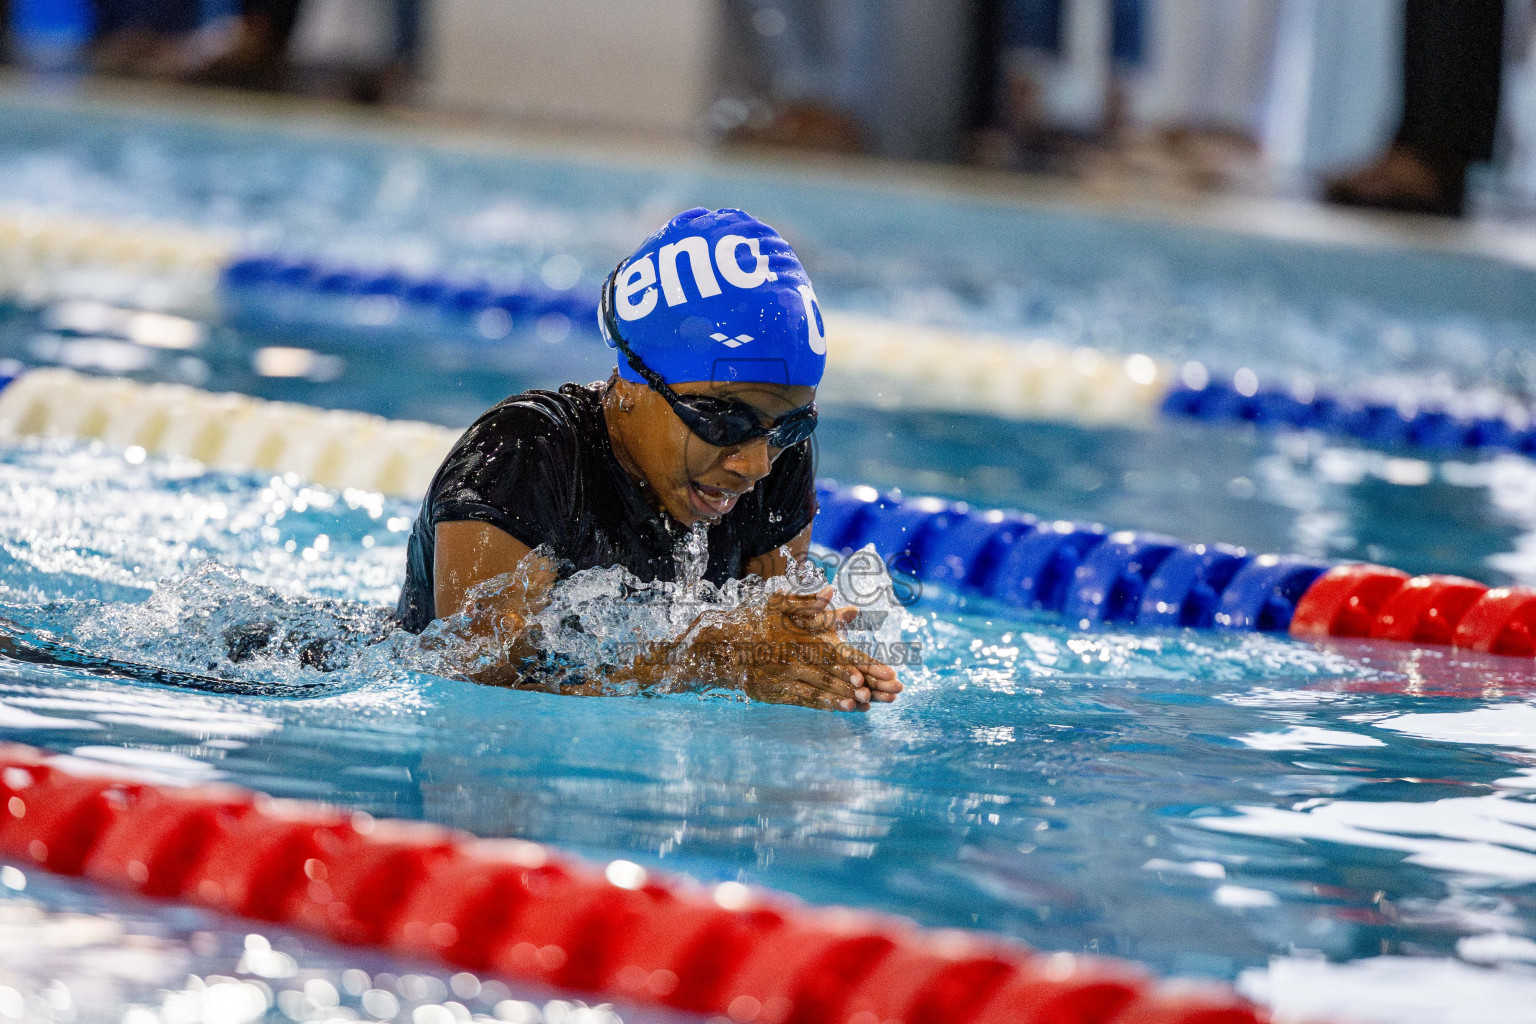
1339	828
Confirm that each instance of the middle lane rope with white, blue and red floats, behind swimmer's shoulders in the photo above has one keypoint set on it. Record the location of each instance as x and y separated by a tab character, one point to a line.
1088	575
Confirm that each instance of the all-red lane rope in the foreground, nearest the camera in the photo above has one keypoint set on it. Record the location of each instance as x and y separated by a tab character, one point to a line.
520	910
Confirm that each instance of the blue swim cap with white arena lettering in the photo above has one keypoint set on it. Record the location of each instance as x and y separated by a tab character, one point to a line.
717	297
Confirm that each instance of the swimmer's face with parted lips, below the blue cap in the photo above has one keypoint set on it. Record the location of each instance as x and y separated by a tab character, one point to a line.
695	481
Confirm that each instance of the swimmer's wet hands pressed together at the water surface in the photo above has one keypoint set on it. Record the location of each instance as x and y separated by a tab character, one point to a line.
792	653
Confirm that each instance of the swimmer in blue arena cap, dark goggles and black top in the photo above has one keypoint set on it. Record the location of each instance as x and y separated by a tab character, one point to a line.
706	423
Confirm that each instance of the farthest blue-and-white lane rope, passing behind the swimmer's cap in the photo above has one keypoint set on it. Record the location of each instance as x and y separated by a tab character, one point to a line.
47	257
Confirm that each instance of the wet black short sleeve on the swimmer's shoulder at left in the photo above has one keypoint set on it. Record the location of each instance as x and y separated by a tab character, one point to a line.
515	469
